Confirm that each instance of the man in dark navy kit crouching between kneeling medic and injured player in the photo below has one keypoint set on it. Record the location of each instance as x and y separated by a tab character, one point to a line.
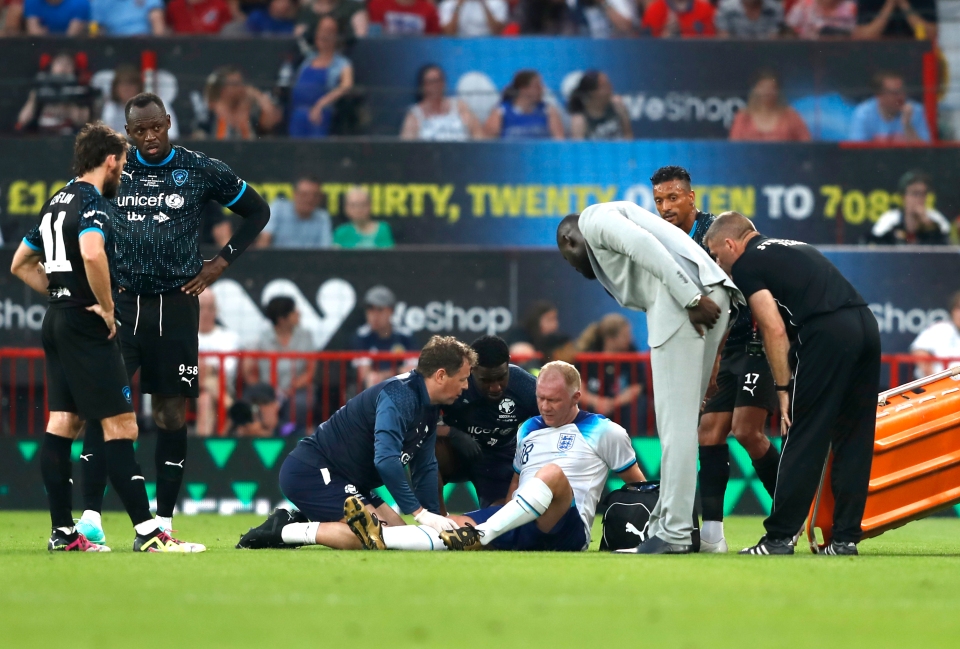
480	438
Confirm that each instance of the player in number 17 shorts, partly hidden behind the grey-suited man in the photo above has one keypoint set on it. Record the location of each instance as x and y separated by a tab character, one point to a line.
741	396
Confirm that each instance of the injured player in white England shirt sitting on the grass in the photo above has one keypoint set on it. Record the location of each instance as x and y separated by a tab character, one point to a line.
561	465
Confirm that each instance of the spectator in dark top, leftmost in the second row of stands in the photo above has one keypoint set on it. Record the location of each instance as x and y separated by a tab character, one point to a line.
60	103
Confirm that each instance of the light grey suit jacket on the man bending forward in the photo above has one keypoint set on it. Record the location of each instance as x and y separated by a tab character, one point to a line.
649	265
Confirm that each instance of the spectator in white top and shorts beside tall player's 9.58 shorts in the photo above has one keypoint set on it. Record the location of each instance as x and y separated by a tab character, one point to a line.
214	338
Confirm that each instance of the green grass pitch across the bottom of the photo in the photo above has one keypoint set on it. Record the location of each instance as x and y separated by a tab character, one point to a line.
904	592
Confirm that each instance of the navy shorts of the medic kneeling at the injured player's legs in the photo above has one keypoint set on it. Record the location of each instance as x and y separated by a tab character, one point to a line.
319	493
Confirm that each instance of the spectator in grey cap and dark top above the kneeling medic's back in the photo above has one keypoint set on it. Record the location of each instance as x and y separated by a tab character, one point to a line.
379	334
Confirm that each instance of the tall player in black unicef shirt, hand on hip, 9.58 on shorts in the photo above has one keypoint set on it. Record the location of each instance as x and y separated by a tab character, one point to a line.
163	191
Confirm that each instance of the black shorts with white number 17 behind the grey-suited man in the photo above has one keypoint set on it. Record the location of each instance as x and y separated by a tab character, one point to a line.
743	380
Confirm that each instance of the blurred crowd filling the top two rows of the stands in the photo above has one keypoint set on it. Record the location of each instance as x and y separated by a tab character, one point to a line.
316	94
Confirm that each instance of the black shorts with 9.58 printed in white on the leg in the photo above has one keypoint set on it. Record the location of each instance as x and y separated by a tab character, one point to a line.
159	335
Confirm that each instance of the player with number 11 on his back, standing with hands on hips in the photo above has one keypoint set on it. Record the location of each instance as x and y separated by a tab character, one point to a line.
66	256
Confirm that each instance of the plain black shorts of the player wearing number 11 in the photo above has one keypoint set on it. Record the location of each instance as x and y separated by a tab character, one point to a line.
85	372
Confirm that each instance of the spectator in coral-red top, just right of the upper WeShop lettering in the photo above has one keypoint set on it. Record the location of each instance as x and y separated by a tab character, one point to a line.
767	118
